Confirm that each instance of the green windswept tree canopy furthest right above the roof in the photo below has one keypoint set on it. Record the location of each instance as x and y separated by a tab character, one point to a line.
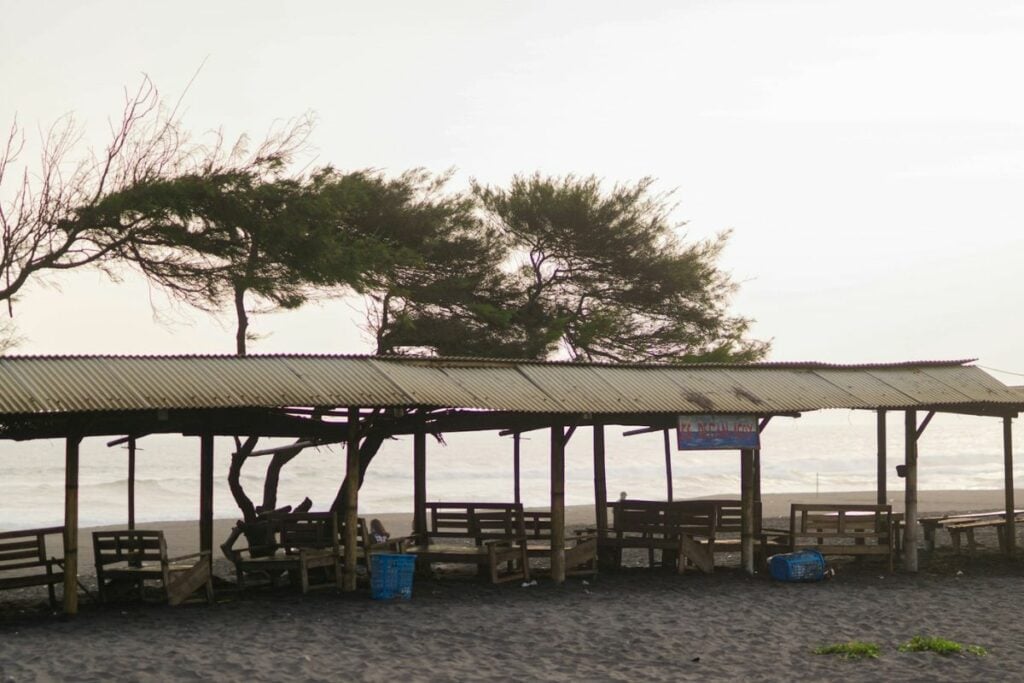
602	275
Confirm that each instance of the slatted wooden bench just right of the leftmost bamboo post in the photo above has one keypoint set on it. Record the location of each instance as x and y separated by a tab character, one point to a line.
137	557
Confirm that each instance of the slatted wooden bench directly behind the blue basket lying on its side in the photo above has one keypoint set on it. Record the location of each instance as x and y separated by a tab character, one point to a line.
840	530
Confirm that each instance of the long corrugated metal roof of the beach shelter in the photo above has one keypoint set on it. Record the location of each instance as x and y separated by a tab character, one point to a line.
65	385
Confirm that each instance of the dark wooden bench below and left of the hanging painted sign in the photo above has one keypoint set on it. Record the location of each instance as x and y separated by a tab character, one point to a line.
684	531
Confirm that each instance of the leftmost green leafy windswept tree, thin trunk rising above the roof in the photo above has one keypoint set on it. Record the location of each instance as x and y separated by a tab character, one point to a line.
229	234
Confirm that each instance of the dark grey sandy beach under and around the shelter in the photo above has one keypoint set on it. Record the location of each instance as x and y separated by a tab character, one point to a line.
633	625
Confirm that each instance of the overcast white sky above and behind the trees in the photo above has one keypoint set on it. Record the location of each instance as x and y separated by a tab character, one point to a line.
869	156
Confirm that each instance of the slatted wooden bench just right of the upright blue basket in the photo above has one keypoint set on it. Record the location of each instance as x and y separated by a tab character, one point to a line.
488	535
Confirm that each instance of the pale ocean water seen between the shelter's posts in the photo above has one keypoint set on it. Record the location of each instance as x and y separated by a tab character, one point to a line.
825	452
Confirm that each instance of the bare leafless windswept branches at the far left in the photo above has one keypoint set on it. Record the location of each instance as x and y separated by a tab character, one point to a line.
49	211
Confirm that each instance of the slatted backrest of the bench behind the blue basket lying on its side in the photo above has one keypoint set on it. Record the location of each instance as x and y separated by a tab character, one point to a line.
830	524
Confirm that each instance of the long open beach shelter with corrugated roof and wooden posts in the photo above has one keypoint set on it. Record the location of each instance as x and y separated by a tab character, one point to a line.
336	399
